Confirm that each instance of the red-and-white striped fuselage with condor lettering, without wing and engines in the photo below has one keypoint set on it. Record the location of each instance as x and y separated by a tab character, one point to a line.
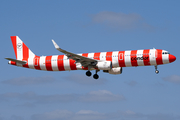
130	58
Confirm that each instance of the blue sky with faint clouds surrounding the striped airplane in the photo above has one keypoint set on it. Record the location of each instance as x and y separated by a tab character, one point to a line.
90	26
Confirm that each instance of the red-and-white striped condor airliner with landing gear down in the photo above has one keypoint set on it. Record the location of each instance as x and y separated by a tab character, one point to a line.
108	62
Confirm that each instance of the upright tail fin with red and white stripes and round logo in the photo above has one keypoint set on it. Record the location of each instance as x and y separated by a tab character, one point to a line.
21	50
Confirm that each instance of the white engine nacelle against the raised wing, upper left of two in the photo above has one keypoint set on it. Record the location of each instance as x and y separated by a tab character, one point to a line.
104	65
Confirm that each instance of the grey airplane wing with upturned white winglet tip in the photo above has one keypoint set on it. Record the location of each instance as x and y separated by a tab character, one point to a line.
85	62
